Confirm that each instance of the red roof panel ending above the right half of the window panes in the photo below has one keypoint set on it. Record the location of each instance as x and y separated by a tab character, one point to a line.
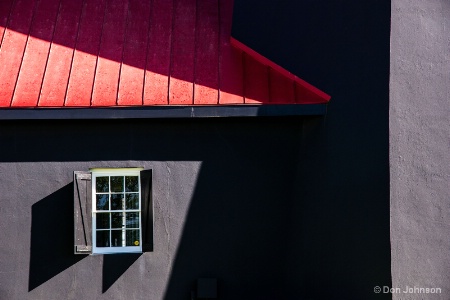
134	54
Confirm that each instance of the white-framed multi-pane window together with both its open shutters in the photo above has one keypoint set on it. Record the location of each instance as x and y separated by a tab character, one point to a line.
113	211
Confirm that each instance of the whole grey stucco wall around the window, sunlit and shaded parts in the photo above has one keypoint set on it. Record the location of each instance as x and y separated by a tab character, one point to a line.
223	193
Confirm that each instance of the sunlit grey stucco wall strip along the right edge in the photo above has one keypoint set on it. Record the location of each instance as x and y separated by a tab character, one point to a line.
419	147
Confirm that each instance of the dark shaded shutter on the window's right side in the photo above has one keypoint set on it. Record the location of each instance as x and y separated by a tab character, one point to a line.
146	210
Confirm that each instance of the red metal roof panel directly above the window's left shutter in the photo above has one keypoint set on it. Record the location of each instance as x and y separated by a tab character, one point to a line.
82	72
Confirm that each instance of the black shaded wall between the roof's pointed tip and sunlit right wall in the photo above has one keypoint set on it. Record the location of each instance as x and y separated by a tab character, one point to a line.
341	248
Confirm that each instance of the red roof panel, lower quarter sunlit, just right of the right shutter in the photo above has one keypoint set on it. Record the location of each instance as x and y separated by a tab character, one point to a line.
183	49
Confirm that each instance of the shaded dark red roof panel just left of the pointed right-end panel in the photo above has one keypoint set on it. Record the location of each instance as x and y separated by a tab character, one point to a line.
281	88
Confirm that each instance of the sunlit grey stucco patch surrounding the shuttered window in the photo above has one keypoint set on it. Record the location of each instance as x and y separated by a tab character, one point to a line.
29	273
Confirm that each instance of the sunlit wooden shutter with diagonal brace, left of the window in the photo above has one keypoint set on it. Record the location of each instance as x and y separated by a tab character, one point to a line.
82	195
